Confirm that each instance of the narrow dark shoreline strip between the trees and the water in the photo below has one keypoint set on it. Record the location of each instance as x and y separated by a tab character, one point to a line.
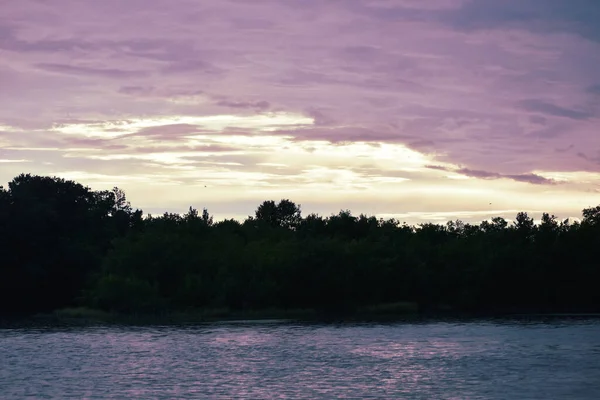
405	312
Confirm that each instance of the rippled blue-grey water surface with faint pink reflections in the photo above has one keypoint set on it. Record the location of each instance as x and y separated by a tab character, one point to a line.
505	359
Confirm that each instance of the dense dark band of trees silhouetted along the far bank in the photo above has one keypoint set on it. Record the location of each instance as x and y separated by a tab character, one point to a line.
64	244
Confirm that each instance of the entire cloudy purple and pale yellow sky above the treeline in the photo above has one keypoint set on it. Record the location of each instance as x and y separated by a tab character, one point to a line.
421	110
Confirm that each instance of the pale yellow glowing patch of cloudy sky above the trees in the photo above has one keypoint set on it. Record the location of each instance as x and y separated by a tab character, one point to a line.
214	165
